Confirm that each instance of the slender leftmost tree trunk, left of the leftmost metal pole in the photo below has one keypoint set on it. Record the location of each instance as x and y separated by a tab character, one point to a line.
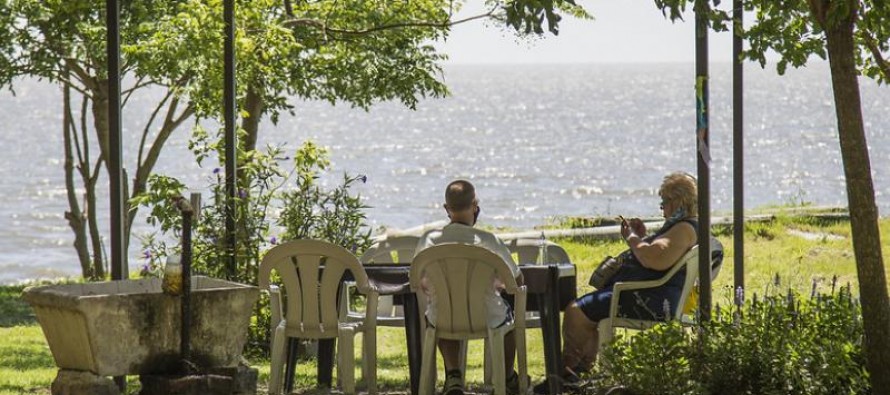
74	216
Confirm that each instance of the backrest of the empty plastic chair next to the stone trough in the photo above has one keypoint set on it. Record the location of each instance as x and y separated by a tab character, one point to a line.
312	292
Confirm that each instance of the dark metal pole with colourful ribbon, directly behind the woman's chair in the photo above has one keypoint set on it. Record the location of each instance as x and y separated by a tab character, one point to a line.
704	158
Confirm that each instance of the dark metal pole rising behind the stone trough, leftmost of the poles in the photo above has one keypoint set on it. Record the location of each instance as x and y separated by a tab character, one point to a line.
118	249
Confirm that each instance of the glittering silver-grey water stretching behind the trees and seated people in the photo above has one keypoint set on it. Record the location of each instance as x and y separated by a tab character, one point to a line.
539	141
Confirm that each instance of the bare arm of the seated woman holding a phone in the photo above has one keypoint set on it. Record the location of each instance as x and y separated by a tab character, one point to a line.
664	251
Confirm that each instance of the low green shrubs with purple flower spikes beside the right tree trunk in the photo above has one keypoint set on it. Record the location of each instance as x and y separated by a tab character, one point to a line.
778	344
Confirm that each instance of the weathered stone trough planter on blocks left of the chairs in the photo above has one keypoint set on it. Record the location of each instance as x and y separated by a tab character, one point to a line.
130	327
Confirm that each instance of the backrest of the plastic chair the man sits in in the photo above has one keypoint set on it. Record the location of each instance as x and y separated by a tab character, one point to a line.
462	276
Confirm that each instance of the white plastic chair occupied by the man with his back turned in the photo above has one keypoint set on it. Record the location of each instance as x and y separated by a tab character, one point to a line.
462	276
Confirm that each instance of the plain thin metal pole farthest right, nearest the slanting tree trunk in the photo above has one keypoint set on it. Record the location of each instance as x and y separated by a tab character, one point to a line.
738	157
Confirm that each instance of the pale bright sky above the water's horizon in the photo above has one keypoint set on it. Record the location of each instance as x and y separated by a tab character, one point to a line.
623	31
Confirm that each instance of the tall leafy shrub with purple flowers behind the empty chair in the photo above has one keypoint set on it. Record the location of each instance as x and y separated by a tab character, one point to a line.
269	199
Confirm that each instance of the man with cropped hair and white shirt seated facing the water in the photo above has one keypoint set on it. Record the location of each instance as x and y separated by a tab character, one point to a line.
462	209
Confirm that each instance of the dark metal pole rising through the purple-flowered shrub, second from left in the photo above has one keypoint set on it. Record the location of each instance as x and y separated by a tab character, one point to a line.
230	139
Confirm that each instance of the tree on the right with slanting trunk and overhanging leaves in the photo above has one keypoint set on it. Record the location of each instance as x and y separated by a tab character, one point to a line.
854	35
